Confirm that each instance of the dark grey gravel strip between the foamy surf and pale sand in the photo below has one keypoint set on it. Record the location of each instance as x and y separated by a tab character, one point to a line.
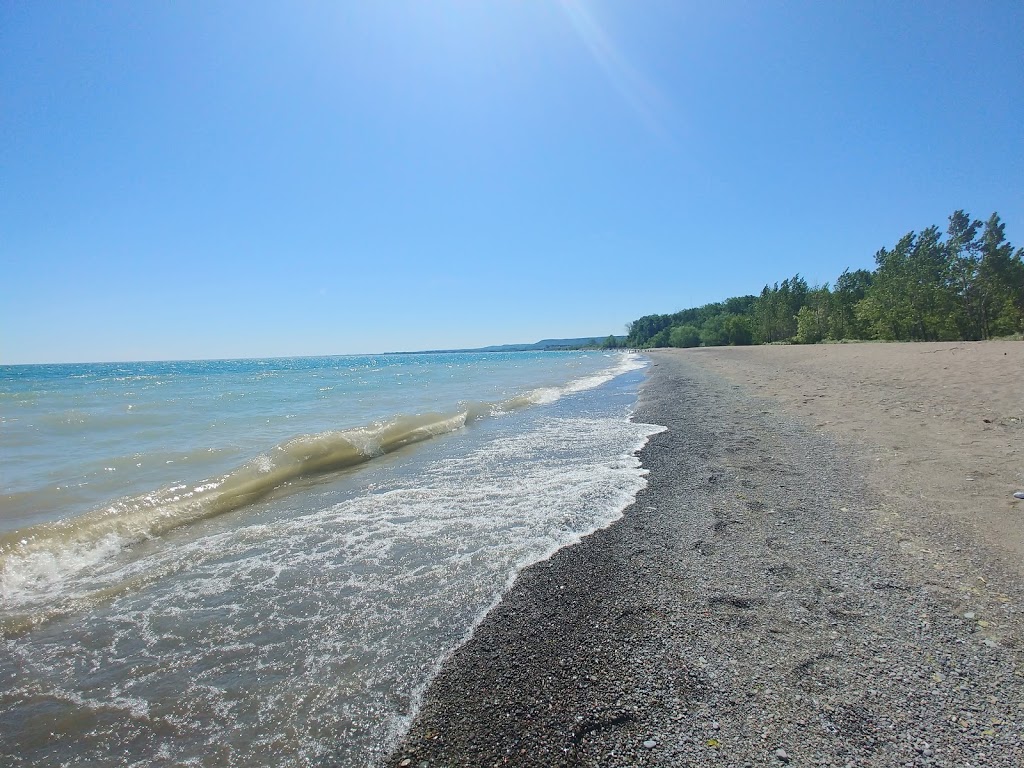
758	606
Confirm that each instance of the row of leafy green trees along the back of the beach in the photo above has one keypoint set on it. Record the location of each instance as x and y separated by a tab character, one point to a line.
966	284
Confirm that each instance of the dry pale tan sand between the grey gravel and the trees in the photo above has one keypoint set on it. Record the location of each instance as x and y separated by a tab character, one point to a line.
944	424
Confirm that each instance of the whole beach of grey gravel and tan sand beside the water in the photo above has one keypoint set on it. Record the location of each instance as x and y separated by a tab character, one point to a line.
826	569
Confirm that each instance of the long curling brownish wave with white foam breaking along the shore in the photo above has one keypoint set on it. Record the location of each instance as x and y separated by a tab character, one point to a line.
37	560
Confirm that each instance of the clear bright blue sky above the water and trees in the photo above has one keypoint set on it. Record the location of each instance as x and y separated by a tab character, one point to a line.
206	180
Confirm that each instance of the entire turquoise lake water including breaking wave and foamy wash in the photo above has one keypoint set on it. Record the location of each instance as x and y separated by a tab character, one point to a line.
263	563
